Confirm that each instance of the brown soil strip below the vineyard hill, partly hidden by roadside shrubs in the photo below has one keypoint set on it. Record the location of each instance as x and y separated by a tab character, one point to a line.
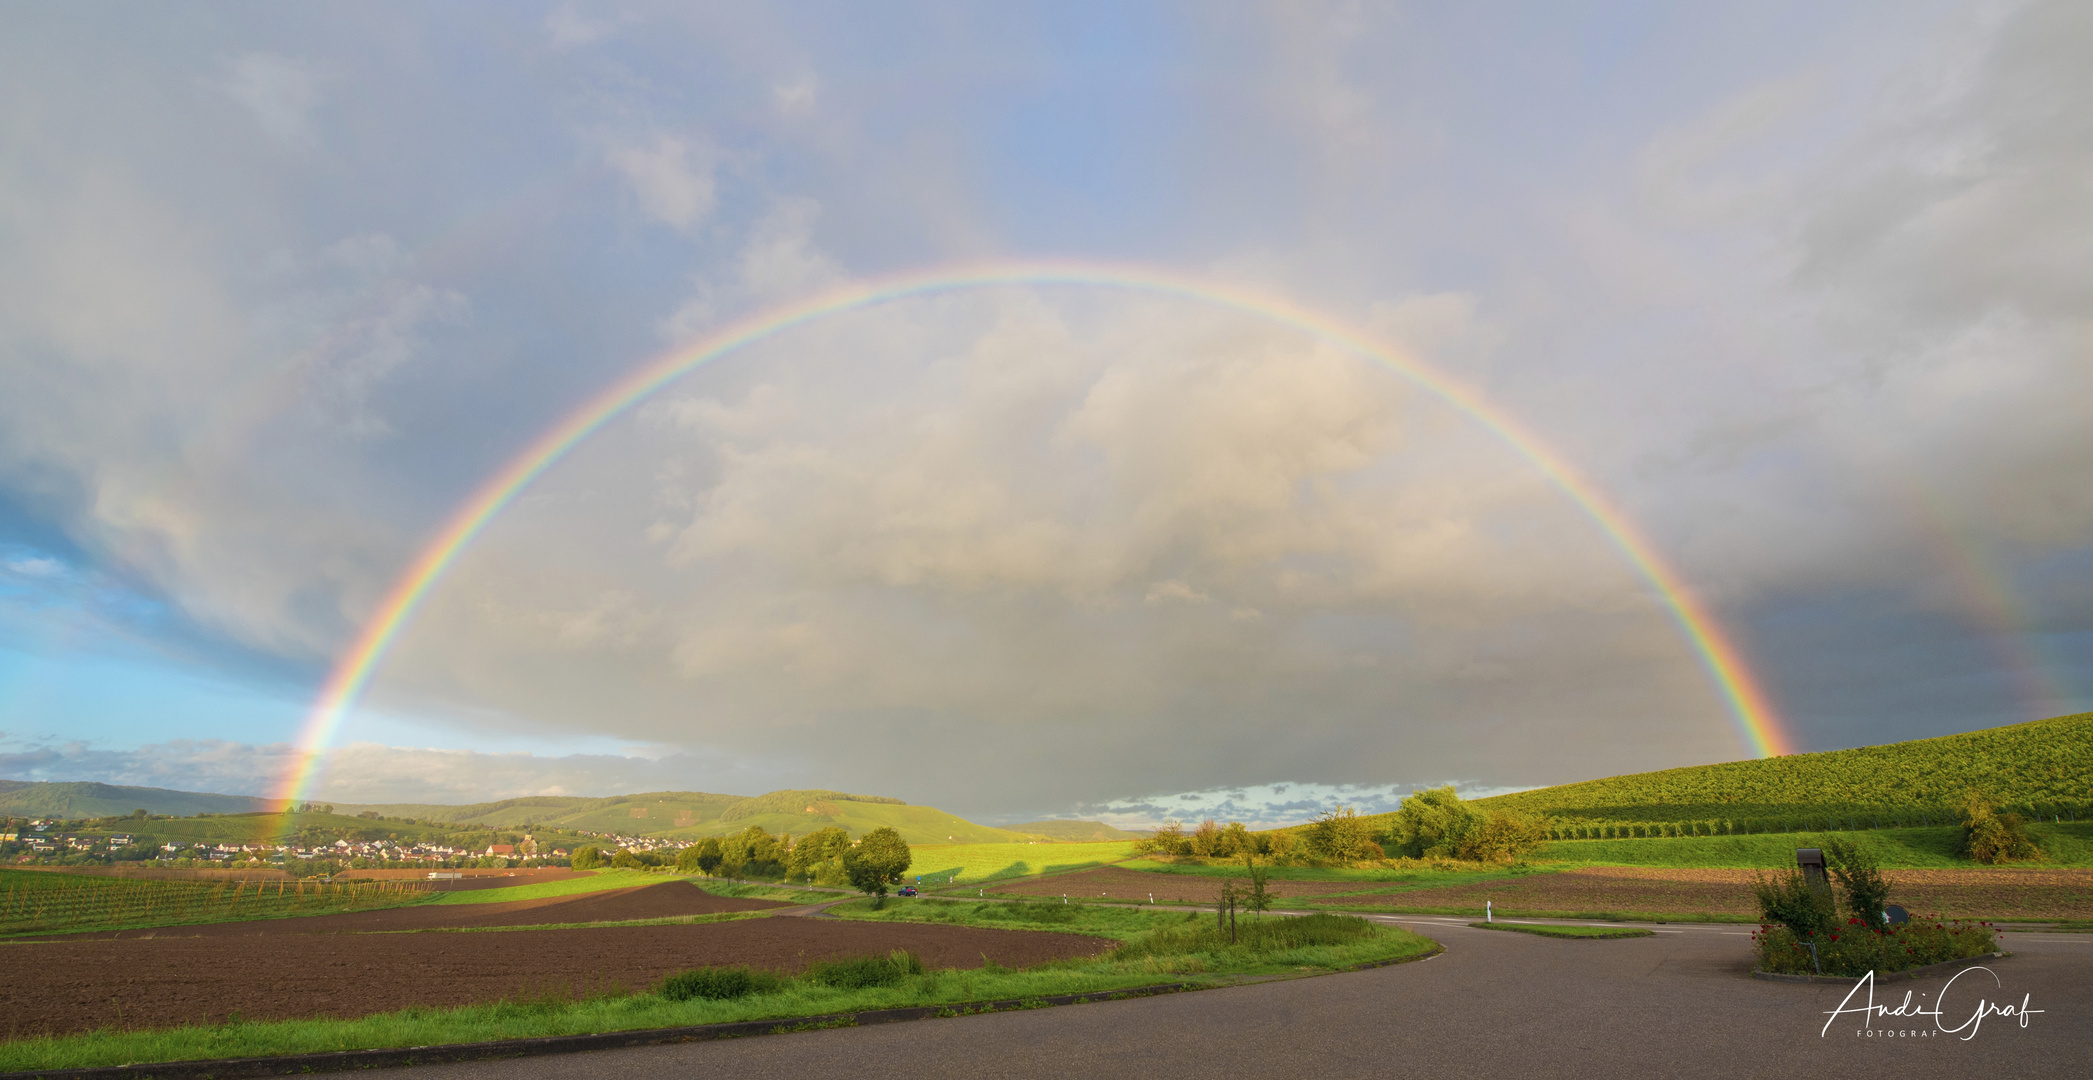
1952	893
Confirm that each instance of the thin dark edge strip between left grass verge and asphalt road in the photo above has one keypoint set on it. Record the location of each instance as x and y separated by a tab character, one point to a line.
233	1068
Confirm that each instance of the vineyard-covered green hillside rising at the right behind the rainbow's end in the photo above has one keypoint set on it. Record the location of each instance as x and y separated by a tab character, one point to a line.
2044	767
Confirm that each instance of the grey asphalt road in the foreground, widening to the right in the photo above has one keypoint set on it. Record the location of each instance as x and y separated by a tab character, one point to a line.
1493	1006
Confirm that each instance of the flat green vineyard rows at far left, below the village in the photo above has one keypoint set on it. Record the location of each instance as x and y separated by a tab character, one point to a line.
60	903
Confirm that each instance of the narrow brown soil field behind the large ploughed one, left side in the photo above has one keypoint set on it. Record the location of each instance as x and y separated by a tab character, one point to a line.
665	901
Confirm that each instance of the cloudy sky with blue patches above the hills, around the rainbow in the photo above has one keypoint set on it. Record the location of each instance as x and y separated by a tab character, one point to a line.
1803	290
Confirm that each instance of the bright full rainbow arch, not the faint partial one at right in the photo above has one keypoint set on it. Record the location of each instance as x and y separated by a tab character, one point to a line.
1753	715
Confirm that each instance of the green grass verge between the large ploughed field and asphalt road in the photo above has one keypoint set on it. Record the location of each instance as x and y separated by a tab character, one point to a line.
1163	947
